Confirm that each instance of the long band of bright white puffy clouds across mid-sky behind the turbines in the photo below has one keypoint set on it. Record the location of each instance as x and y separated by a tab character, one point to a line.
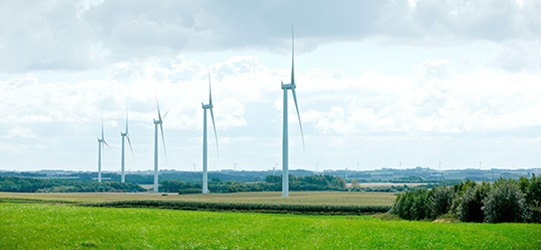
432	99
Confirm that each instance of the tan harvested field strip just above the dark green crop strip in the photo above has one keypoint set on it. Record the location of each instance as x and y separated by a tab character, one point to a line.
301	198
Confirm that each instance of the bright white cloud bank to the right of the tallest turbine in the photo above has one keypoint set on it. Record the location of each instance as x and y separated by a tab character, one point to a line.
434	99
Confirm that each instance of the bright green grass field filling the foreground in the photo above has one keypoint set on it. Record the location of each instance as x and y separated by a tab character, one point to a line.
67	227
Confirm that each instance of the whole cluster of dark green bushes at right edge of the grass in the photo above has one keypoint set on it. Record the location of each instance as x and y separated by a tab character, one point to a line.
504	201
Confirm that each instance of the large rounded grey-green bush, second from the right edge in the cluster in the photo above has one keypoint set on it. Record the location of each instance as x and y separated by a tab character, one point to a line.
504	203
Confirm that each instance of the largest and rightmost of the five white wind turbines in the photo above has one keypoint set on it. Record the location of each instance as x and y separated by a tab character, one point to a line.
285	143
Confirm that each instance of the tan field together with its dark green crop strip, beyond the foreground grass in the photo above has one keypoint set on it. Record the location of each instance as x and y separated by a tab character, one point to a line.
323	203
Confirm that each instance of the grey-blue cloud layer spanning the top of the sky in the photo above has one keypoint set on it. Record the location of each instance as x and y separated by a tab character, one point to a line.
51	35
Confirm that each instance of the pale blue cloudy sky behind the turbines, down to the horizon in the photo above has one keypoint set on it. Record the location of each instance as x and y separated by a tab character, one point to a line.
392	84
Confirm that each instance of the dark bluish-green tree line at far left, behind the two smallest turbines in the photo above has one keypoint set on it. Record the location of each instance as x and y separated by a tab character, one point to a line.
20	184
